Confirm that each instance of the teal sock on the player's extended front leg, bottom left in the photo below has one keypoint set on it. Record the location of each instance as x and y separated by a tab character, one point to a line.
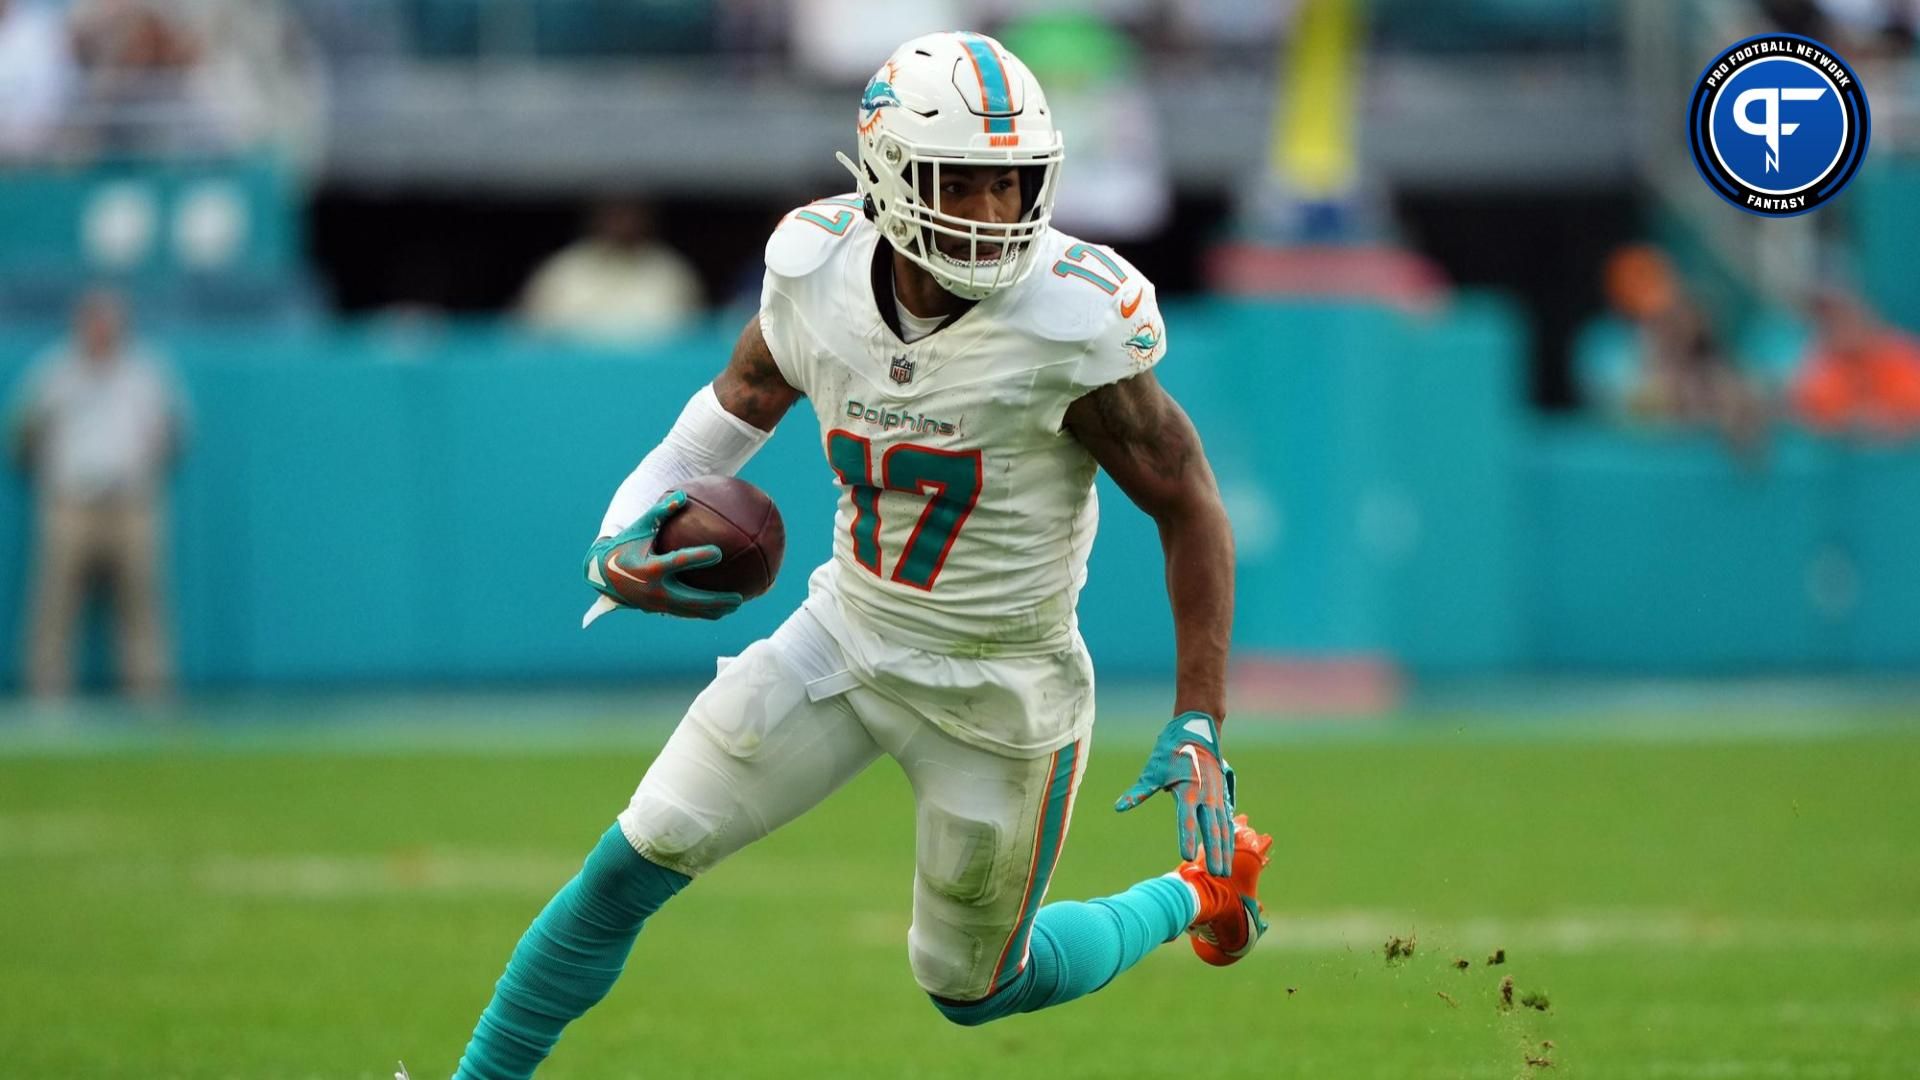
567	960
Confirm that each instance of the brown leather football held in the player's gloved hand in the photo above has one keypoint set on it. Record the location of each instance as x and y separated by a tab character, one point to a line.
736	518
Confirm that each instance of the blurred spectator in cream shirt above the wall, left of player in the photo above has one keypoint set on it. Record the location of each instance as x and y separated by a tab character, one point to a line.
615	285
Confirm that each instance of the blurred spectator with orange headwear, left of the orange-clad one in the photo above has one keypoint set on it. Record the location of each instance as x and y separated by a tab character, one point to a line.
1683	376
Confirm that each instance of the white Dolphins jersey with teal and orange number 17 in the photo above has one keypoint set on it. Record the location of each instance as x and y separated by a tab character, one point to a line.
965	510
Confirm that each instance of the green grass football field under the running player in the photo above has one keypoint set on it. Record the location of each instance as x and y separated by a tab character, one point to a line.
1727	904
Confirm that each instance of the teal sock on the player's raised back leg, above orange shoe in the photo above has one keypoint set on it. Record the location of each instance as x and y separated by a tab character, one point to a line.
1080	948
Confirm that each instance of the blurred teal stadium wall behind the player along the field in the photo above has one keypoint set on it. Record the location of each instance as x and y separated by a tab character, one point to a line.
410	503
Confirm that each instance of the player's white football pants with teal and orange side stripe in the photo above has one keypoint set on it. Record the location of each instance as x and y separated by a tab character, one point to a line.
786	724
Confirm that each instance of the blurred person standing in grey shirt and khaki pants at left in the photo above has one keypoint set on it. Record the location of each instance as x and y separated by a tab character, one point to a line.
97	424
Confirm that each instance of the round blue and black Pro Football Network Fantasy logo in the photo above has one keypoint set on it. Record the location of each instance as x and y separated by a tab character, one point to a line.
1779	126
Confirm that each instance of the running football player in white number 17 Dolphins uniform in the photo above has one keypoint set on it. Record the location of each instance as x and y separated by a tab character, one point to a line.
971	368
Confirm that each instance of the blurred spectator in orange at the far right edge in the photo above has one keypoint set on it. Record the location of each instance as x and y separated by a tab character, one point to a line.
1860	374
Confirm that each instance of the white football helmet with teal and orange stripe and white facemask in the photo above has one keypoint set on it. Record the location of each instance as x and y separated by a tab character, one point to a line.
957	99
